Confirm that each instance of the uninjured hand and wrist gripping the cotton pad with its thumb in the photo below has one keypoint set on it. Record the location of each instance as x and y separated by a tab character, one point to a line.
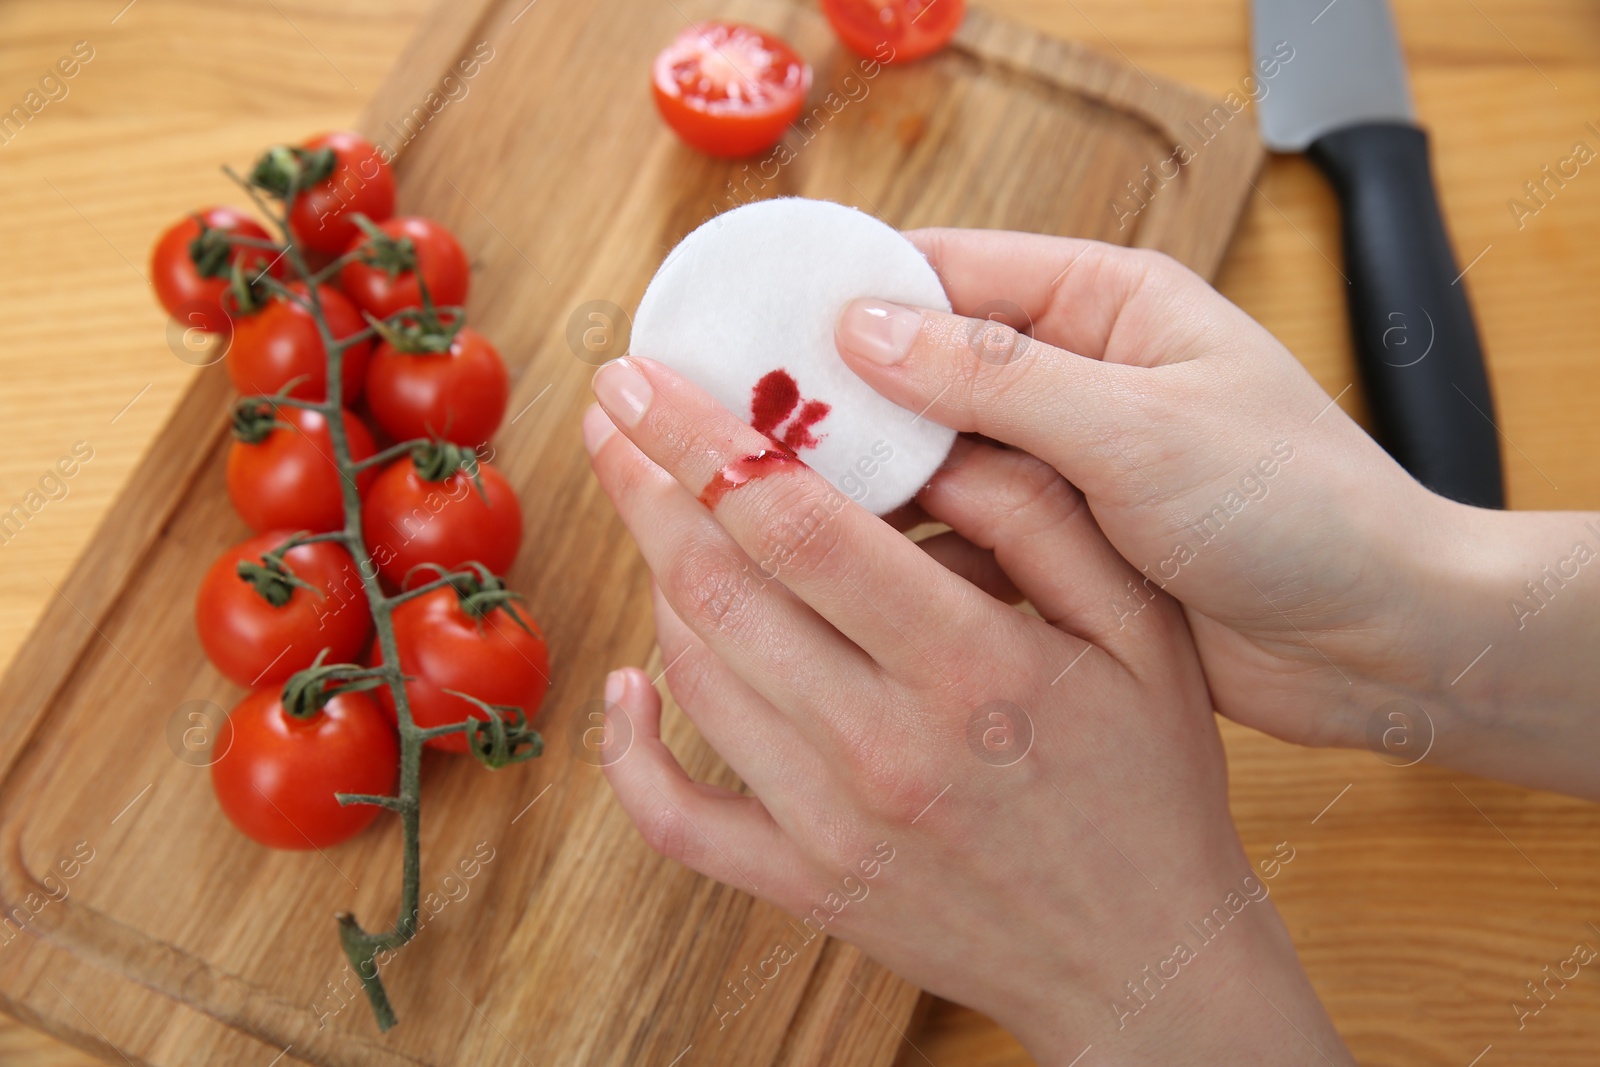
1334	599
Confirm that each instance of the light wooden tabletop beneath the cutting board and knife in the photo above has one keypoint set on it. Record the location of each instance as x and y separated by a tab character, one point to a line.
175	87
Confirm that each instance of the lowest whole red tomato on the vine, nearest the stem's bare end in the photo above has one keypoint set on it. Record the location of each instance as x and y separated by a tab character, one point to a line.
278	775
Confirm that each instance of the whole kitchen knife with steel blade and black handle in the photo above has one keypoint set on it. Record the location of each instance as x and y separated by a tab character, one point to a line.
1338	92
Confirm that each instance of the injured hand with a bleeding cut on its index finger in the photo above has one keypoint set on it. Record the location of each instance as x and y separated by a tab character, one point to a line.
1025	817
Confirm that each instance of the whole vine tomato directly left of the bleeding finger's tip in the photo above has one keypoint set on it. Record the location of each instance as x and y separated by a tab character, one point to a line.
458	394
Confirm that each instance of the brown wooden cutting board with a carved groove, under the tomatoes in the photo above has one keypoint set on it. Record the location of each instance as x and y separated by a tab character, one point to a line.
177	941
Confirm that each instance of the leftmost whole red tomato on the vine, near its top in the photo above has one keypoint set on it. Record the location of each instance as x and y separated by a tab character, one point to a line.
191	273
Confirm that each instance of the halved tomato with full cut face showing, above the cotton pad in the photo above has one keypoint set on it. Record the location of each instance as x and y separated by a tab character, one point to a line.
730	90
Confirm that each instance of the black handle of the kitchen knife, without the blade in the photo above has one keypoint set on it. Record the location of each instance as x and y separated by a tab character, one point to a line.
1415	338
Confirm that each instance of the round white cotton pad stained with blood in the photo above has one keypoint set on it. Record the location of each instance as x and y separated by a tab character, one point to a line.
753	297
